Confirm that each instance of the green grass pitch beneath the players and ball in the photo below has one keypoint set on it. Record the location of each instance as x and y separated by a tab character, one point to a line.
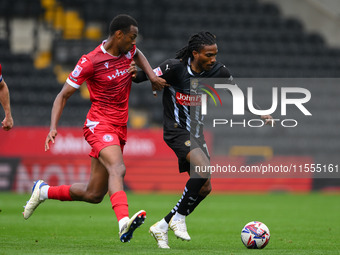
299	224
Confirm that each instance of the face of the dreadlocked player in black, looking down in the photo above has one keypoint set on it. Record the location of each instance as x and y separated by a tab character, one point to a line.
206	58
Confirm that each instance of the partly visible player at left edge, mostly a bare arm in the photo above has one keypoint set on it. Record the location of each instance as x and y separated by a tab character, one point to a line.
7	122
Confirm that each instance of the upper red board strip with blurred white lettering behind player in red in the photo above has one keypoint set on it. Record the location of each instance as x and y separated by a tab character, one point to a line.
29	142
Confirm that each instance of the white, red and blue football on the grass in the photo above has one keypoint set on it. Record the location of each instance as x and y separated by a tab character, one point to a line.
255	235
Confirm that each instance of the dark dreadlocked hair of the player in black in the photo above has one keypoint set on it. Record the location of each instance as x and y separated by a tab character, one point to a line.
196	42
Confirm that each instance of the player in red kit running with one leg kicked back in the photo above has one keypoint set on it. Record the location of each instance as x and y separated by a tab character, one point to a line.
108	72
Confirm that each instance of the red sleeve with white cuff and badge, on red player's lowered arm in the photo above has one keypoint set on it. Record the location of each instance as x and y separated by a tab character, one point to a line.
82	71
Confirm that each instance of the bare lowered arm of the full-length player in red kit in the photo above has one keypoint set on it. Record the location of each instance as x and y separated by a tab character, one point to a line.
57	109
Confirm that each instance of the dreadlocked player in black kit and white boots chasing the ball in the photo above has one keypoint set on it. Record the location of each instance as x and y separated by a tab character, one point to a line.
184	133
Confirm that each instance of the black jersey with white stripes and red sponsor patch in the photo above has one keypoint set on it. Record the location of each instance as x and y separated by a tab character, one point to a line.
180	109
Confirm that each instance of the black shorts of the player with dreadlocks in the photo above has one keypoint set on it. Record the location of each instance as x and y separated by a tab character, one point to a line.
181	143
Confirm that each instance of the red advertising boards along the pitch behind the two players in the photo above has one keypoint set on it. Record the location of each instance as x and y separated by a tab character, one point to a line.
151	164
